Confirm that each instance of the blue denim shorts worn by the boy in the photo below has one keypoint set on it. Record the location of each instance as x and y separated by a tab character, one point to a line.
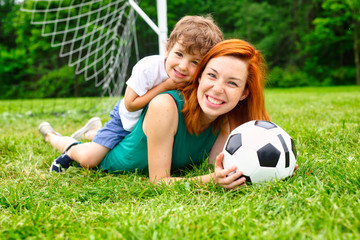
113	132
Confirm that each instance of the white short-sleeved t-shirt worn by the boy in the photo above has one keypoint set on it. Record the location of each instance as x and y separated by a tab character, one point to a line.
146	74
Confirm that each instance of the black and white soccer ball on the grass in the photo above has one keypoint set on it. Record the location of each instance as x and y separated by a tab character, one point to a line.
262	150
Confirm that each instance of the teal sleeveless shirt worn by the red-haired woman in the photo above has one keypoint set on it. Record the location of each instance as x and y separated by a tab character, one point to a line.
131	153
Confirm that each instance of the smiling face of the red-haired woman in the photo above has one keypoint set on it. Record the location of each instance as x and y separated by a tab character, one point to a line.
222	86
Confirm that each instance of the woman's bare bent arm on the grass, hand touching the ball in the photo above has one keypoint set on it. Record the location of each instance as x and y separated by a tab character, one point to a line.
160	126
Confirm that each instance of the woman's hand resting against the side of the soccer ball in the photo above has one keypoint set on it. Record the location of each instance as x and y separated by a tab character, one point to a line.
221	175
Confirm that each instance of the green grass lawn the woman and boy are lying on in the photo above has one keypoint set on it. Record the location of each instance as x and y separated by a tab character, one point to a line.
321	202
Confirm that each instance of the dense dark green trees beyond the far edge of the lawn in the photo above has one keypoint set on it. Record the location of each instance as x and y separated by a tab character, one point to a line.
305	43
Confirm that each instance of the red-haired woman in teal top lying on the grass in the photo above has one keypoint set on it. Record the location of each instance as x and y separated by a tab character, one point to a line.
176	128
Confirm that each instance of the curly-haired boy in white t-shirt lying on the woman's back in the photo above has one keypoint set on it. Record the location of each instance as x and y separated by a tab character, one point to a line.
192	38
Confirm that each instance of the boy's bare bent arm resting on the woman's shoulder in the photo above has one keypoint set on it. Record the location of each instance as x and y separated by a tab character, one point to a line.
134	102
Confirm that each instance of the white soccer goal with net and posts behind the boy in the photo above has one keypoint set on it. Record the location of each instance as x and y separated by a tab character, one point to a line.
96	36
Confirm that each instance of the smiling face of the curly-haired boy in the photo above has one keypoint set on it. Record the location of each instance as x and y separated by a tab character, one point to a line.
180	65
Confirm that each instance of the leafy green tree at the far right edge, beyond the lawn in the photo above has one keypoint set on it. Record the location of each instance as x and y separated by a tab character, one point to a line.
333	41
